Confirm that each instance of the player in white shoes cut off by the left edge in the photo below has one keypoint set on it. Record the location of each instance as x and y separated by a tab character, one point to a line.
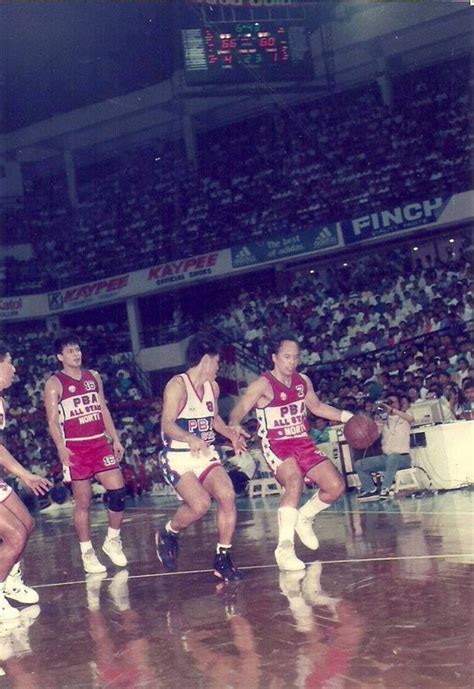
16	523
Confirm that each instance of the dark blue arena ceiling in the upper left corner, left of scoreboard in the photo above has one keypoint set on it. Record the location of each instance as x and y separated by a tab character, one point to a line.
59	56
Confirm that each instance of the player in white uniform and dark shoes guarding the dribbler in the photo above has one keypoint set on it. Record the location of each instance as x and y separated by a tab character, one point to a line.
189	461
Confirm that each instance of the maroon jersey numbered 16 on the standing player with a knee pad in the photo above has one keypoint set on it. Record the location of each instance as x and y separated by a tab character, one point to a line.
80	413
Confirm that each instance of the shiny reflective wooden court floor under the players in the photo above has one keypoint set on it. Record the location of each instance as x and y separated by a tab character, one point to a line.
385	603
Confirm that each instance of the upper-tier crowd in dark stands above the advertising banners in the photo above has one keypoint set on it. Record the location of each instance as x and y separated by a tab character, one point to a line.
281	171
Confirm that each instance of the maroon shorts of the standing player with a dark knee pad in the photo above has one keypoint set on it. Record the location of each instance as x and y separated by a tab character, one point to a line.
89	457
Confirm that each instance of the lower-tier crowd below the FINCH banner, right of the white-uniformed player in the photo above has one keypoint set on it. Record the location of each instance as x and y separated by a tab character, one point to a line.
385	326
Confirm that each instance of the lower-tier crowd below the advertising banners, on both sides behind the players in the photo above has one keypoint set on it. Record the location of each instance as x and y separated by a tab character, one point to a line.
388	326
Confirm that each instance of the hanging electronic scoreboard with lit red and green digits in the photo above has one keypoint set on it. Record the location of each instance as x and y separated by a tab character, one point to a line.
231	53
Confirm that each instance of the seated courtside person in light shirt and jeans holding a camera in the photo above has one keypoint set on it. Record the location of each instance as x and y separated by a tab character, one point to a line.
395	437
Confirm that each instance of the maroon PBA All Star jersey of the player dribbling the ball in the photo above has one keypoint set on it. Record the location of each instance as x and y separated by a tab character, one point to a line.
285	416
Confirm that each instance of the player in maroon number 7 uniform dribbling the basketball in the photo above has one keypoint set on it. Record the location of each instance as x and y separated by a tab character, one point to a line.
280	398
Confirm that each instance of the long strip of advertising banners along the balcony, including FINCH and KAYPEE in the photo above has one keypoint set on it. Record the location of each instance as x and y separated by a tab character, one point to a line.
429	213
